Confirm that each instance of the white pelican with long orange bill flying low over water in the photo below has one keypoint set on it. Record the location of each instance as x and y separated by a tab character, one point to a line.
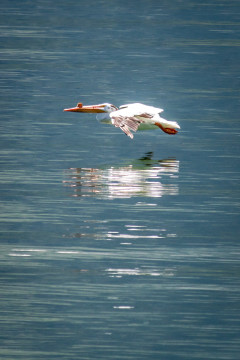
130	117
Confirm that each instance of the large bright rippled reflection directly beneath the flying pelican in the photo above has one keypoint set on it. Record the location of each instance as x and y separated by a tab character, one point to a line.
144	177
